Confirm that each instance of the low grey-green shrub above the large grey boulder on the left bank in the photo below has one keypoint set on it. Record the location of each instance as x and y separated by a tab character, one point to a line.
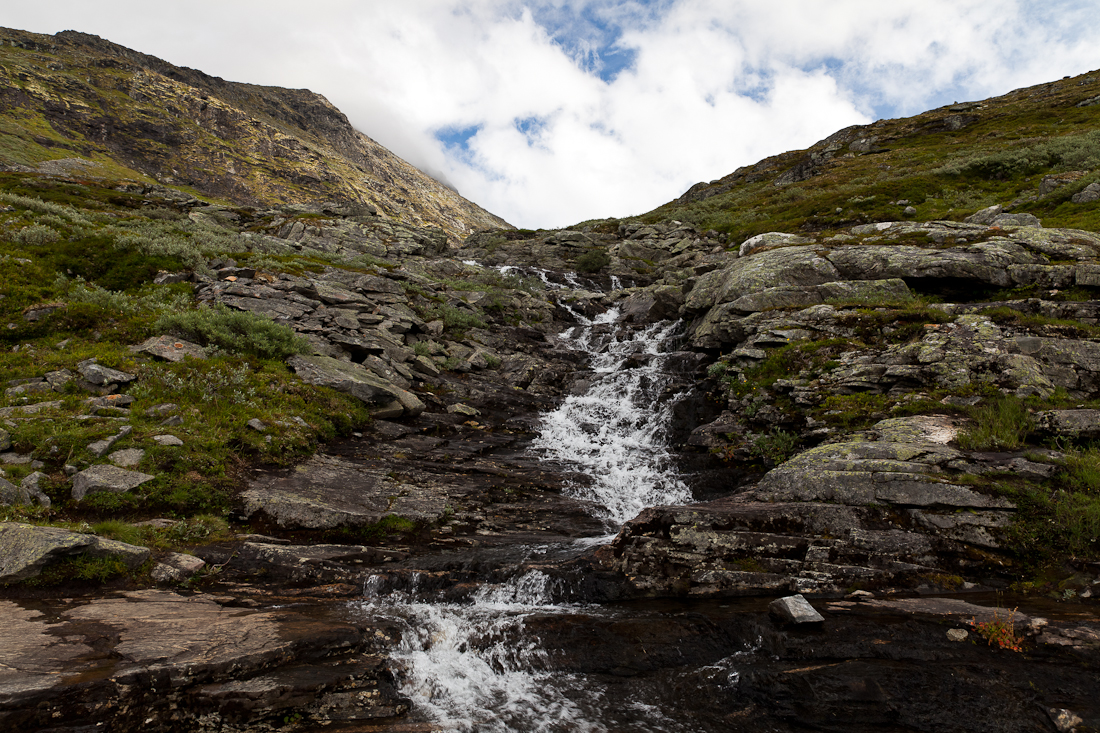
239	332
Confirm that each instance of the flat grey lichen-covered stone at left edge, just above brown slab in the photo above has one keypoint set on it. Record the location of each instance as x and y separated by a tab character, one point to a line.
26	550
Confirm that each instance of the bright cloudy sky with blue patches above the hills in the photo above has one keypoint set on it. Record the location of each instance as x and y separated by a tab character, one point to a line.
551	113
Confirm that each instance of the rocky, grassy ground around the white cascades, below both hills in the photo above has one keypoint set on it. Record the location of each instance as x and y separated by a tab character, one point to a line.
230	428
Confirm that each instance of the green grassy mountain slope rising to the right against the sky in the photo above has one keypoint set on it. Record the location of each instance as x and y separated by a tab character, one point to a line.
947	163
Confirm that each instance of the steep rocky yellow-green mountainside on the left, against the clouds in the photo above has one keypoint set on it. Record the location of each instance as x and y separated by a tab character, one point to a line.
78	105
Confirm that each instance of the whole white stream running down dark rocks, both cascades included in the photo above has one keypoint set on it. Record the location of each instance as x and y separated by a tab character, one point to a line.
504	658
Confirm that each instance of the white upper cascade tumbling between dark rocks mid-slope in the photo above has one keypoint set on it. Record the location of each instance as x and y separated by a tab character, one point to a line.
615	432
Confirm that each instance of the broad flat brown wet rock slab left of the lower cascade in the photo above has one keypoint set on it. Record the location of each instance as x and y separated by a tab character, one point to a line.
153	661
